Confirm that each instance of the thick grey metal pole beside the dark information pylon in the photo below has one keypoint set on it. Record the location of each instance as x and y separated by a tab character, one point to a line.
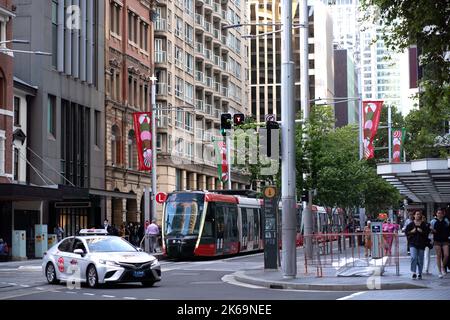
288	186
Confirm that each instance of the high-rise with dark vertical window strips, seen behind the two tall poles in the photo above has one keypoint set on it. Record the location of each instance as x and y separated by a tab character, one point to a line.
265	56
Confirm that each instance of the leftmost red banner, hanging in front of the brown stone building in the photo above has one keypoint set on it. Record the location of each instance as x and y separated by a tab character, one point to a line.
143	131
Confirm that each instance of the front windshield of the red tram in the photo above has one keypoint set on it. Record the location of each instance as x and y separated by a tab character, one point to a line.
183	214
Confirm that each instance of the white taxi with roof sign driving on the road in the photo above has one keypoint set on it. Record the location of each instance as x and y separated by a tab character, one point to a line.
95	257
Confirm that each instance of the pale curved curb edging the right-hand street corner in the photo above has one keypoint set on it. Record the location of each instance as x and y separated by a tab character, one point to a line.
272	284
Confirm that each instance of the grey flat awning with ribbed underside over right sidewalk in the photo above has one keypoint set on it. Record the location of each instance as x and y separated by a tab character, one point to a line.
426	180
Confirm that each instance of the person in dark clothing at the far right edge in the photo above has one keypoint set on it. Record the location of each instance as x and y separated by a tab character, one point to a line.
440	228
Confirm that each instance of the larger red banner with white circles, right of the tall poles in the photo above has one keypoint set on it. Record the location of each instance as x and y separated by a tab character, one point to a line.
371	119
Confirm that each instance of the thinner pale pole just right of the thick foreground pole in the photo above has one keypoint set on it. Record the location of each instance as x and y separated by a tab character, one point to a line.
307	206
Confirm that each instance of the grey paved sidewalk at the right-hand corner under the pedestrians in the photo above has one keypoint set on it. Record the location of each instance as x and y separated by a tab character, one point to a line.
330	282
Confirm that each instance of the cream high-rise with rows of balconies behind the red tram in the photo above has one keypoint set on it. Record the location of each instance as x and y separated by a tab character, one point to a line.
201	70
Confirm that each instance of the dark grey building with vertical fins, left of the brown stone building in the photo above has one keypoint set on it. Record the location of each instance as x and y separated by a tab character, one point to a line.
65	127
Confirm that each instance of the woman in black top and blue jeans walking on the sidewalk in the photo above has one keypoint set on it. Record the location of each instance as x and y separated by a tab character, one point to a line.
417	233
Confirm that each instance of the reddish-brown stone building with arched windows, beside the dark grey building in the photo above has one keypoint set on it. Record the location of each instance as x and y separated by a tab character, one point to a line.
128	69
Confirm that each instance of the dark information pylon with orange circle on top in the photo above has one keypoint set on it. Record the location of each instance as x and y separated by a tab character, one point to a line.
270	207
